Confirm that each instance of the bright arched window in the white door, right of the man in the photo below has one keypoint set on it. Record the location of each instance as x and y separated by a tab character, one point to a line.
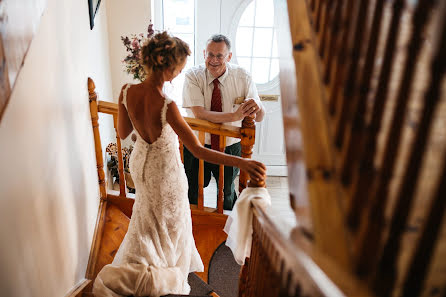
256	41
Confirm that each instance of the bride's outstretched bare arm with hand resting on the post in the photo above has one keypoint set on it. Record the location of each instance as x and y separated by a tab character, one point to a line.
255	169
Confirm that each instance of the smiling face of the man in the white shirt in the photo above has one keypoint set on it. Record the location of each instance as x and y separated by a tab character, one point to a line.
216	56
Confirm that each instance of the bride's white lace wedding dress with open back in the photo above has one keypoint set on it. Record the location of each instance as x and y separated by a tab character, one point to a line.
158	251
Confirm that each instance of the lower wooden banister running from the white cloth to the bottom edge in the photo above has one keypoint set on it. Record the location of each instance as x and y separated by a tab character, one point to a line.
287	265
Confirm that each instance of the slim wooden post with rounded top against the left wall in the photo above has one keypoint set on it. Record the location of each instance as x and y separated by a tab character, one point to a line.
92	97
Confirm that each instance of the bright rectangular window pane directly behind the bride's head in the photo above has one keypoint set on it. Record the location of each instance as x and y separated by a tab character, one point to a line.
179	20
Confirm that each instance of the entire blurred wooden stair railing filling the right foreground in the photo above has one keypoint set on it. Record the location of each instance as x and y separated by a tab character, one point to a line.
363	81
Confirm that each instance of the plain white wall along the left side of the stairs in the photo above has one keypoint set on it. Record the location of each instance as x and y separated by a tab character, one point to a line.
48	185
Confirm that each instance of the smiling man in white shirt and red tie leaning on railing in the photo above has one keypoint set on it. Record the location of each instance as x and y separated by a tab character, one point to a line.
210	93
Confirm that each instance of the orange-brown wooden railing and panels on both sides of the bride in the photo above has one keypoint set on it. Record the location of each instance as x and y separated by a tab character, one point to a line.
115	209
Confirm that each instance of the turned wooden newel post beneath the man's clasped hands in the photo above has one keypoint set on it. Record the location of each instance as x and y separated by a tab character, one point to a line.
248	132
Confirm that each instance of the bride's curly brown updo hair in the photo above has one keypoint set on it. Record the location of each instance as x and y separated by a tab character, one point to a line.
163	51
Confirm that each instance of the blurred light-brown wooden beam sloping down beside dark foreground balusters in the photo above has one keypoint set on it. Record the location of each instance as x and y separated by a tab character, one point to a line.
318	152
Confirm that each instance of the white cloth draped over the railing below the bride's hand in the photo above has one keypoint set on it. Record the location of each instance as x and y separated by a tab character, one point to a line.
239	223
